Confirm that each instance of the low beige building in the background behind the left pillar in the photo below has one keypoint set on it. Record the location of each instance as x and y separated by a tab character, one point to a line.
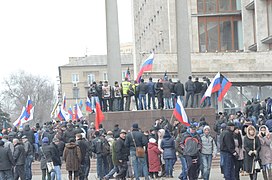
80	72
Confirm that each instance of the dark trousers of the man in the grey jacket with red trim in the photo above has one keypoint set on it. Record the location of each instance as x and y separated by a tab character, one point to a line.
193	164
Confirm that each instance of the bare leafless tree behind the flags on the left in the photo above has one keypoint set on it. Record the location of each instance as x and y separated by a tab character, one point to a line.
16	89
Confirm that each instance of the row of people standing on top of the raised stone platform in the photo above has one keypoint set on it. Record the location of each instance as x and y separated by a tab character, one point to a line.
162	94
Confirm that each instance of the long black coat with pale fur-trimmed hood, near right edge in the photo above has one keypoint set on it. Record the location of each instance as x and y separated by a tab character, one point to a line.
248	146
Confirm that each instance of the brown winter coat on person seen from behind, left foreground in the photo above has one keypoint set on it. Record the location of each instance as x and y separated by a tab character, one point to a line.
72	157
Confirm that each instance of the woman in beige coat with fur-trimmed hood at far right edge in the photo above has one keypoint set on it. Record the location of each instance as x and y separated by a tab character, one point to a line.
265	152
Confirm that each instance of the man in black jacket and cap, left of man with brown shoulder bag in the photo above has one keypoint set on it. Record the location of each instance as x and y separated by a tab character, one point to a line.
122	153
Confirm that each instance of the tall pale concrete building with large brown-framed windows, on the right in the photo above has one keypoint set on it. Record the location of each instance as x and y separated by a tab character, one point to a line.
233	37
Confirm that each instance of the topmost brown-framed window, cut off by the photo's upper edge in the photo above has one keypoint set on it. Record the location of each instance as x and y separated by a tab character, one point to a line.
218	6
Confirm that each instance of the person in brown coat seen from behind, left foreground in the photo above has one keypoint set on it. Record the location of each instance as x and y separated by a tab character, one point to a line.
72	157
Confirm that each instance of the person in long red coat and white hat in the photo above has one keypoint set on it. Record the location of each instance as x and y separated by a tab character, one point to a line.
153	158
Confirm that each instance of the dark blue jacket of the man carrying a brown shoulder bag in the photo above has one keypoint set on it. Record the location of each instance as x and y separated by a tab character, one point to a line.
140	140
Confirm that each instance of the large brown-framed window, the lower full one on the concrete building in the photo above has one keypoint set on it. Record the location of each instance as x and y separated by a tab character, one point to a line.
220	33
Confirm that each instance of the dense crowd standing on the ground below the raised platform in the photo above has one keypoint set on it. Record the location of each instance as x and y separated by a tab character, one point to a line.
242	140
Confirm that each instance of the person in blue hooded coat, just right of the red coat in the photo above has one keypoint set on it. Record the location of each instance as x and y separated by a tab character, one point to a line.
169	153
